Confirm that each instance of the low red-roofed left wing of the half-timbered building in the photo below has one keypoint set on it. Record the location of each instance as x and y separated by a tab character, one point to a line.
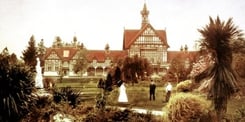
60	61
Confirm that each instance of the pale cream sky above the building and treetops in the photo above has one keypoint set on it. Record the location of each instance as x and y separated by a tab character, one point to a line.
98	22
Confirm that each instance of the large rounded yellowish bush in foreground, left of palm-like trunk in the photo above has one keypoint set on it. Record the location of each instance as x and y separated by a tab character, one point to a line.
187	107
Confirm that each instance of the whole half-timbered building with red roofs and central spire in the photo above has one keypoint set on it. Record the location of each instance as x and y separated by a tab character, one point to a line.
146	42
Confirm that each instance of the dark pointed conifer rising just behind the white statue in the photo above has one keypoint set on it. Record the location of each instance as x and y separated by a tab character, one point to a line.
30	54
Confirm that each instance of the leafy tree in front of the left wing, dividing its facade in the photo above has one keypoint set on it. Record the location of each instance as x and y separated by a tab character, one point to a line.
82	61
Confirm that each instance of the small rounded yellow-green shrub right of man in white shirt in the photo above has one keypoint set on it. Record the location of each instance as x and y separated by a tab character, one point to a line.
184	86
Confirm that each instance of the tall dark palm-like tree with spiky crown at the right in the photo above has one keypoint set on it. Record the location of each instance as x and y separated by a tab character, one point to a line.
217	36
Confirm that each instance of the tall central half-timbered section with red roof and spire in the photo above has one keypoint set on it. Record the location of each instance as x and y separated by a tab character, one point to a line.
147	42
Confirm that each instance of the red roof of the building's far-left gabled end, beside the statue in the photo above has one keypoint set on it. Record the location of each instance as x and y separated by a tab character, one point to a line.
60	52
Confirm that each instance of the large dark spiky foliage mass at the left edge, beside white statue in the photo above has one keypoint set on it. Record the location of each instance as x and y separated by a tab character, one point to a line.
16	87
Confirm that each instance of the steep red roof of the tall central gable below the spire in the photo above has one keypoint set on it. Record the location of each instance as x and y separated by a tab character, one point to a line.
130	36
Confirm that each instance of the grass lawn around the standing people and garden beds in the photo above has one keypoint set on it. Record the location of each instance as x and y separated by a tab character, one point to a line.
138	95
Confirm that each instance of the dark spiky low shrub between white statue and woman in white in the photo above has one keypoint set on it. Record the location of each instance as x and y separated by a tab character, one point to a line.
66	94
